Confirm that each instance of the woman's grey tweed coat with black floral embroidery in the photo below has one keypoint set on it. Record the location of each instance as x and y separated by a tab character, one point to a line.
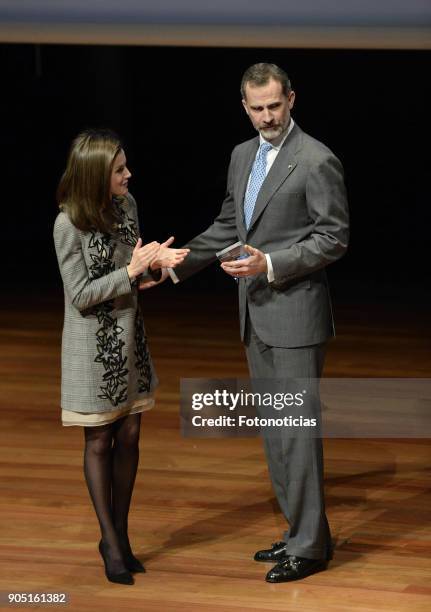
106	363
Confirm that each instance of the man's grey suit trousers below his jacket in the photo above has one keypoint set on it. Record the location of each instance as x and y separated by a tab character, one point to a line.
295	463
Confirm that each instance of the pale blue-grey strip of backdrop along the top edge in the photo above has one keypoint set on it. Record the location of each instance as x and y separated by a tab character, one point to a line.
252	23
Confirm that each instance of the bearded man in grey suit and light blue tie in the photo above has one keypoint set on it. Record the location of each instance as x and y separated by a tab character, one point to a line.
286	198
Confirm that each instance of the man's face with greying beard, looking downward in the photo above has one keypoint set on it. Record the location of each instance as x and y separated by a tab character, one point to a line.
268	108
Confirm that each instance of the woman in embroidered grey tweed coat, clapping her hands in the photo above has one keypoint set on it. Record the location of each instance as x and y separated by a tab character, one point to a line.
108	377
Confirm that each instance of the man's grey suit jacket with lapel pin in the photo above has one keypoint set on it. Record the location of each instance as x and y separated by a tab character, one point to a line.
301	220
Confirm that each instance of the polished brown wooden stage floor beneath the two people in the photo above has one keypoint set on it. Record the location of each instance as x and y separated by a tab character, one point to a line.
202	507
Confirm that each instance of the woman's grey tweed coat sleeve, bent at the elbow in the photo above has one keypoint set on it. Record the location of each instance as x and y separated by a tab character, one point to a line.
82	291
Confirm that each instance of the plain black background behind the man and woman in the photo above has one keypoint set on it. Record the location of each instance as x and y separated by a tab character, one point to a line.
179	112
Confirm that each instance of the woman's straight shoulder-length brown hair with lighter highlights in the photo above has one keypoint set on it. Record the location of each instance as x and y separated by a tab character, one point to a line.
84	190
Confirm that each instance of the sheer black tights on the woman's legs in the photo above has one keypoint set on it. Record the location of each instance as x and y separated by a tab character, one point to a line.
110	463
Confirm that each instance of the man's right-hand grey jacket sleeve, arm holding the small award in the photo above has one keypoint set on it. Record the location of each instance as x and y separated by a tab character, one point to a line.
327	207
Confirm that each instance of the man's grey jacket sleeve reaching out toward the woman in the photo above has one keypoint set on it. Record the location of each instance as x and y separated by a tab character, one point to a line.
220	234
